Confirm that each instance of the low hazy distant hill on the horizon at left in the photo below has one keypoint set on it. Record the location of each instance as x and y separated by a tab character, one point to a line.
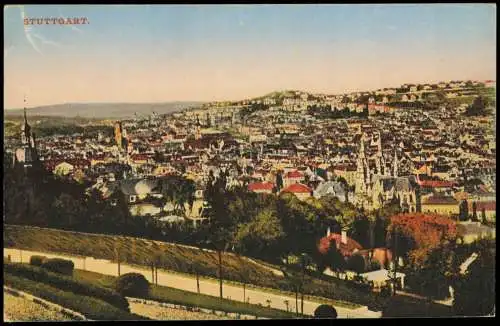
104	110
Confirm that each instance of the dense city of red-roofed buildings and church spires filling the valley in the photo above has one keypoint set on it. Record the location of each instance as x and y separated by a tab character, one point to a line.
412	145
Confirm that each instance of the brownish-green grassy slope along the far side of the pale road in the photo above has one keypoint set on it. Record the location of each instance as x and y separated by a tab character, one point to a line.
177	258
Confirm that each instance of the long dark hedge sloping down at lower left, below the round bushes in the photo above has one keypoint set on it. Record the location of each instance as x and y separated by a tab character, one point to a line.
68	284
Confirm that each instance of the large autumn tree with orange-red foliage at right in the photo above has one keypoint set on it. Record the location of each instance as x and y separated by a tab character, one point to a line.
417	234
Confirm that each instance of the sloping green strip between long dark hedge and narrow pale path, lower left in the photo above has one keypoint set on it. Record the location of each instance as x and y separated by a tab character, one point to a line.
90	307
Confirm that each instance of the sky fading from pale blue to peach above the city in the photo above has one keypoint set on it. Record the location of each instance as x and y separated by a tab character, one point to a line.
160	53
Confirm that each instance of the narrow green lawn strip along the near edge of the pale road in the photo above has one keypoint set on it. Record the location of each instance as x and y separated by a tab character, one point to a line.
191	299
